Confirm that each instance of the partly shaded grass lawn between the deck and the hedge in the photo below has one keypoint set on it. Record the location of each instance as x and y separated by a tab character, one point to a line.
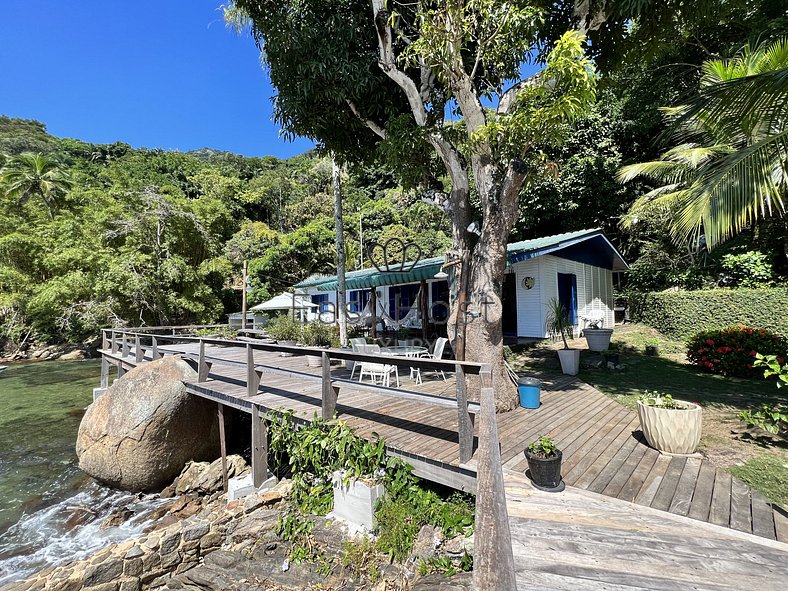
765	467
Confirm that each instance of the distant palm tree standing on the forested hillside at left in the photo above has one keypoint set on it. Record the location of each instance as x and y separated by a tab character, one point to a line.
31	175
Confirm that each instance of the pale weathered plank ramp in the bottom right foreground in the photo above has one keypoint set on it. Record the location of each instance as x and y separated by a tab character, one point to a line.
582	540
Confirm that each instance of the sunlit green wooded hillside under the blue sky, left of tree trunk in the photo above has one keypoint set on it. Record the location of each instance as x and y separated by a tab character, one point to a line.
148	236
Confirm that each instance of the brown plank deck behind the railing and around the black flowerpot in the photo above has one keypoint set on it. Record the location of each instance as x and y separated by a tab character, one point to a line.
603	449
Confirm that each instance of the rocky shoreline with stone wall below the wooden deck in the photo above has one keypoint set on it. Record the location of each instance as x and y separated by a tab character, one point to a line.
204	543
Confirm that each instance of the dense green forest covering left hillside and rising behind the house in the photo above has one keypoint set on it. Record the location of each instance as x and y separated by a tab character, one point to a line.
100	235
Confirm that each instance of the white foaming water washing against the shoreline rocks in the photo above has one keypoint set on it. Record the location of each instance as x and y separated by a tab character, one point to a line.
71	530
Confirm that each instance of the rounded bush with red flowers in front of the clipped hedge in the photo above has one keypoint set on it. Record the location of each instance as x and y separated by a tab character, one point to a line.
731	351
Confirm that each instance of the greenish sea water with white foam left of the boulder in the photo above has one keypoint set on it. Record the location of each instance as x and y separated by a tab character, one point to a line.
51	512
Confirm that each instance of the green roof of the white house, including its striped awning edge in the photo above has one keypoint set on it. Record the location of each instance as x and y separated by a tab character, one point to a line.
603	254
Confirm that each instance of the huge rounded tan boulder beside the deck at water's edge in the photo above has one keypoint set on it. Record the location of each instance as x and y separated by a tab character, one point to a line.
143	430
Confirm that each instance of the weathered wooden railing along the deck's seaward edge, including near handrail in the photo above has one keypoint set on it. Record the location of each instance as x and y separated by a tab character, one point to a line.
493	557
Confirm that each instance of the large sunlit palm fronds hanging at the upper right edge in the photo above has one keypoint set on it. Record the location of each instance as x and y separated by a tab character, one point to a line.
730	165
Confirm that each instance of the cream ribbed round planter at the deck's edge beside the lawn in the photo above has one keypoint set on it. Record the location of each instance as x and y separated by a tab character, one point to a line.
675	431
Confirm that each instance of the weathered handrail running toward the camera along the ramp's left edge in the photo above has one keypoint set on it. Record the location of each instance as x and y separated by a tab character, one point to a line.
493	559
